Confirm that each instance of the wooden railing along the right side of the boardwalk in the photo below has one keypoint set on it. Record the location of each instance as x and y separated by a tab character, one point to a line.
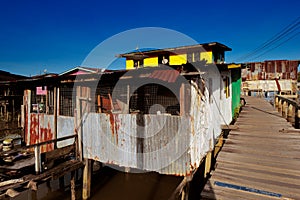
288	108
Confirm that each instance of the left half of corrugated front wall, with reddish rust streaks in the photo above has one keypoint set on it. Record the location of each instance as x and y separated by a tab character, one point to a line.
106	140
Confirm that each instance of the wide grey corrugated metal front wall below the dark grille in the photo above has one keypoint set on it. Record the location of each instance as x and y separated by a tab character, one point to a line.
148	142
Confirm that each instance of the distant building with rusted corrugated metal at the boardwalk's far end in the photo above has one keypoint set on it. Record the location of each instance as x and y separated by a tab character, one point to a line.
269	77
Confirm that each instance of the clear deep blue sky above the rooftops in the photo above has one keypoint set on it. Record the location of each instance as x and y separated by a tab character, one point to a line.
58	35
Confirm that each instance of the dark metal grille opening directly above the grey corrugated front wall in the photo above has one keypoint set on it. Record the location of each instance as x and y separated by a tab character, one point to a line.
148	99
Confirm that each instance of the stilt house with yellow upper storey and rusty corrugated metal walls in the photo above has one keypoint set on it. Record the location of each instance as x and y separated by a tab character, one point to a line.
164	113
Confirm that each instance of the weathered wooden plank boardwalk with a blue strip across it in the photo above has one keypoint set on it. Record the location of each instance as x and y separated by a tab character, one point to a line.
259	160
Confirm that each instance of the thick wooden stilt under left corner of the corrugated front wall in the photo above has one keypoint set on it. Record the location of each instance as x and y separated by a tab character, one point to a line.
87	175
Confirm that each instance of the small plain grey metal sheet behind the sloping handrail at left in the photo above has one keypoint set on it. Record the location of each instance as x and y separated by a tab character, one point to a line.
65	127
